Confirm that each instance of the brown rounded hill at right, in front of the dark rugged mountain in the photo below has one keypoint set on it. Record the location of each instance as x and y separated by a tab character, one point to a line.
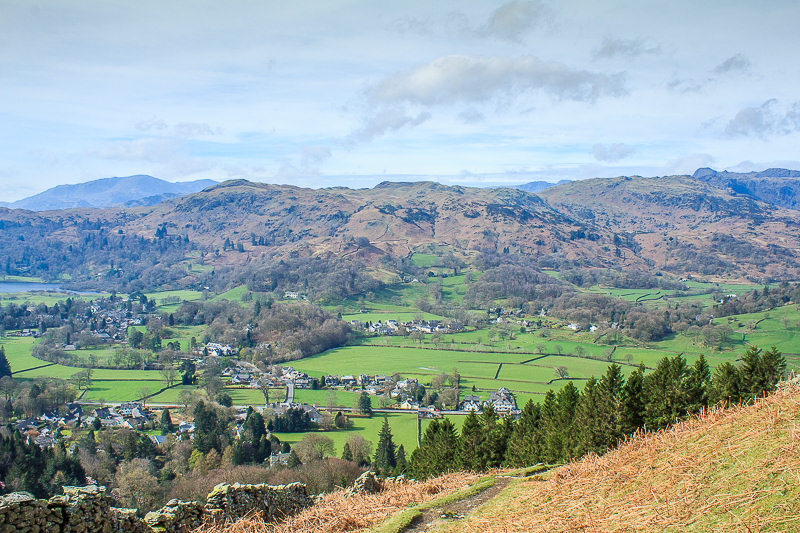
687	225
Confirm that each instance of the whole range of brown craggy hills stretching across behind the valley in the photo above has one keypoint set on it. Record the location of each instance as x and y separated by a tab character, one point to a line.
711	224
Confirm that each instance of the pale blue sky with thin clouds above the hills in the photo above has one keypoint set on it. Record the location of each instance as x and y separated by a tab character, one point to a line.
340	92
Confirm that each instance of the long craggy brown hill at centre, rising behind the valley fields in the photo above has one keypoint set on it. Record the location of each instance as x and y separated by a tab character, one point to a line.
391	218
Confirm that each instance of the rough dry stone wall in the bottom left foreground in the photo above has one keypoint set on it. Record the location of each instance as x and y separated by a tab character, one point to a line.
88	510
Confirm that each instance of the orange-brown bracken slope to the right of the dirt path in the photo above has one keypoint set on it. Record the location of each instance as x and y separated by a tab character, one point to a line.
735	469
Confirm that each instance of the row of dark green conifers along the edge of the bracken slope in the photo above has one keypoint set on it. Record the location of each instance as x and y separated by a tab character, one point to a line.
571	423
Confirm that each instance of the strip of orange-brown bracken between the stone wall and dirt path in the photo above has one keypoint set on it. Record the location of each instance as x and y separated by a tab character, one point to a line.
337	512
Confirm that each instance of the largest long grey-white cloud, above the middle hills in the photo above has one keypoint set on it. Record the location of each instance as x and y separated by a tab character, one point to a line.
461	78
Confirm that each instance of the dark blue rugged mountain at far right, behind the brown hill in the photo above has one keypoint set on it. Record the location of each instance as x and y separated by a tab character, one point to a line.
778	186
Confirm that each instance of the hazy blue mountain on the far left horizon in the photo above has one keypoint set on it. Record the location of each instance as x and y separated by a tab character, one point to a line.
108	192
